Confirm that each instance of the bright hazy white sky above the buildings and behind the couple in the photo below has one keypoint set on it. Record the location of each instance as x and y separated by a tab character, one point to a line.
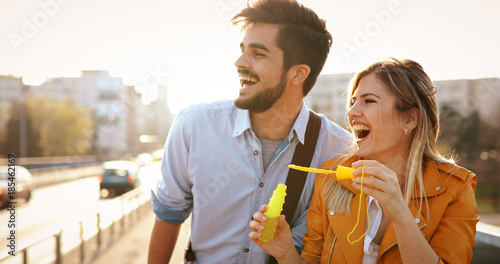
190	48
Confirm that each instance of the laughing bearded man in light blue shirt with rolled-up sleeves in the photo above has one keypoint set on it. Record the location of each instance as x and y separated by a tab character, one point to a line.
223	160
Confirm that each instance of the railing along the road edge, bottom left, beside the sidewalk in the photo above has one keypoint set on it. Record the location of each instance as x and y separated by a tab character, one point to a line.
133	205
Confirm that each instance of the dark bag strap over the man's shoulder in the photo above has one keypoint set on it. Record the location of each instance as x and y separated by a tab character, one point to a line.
296	179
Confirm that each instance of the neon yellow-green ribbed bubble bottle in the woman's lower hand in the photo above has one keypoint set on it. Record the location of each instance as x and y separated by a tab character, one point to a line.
273	213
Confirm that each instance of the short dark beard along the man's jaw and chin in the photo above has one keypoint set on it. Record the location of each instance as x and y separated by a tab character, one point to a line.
263	100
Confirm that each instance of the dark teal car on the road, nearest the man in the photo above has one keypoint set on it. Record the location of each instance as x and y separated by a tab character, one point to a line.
118	177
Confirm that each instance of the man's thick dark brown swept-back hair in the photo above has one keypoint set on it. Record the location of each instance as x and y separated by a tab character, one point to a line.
303	36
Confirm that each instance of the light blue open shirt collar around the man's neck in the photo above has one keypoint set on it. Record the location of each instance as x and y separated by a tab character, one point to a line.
242	123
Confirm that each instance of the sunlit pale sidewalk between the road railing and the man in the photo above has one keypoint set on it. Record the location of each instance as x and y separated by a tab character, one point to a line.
132	247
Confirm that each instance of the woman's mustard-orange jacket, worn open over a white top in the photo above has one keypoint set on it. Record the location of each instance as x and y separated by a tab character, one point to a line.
450	229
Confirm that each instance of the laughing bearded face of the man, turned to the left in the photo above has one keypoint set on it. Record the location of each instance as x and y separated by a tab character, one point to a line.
260	67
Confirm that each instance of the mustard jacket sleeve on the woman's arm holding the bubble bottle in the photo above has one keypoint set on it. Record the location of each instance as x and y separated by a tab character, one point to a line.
316	221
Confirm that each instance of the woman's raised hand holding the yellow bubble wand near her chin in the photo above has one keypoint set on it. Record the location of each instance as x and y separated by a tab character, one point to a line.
382	184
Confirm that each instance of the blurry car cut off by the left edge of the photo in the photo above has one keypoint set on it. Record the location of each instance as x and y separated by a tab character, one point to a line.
19	183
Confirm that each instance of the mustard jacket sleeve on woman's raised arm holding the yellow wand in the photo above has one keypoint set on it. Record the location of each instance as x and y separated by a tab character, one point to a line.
453	239
